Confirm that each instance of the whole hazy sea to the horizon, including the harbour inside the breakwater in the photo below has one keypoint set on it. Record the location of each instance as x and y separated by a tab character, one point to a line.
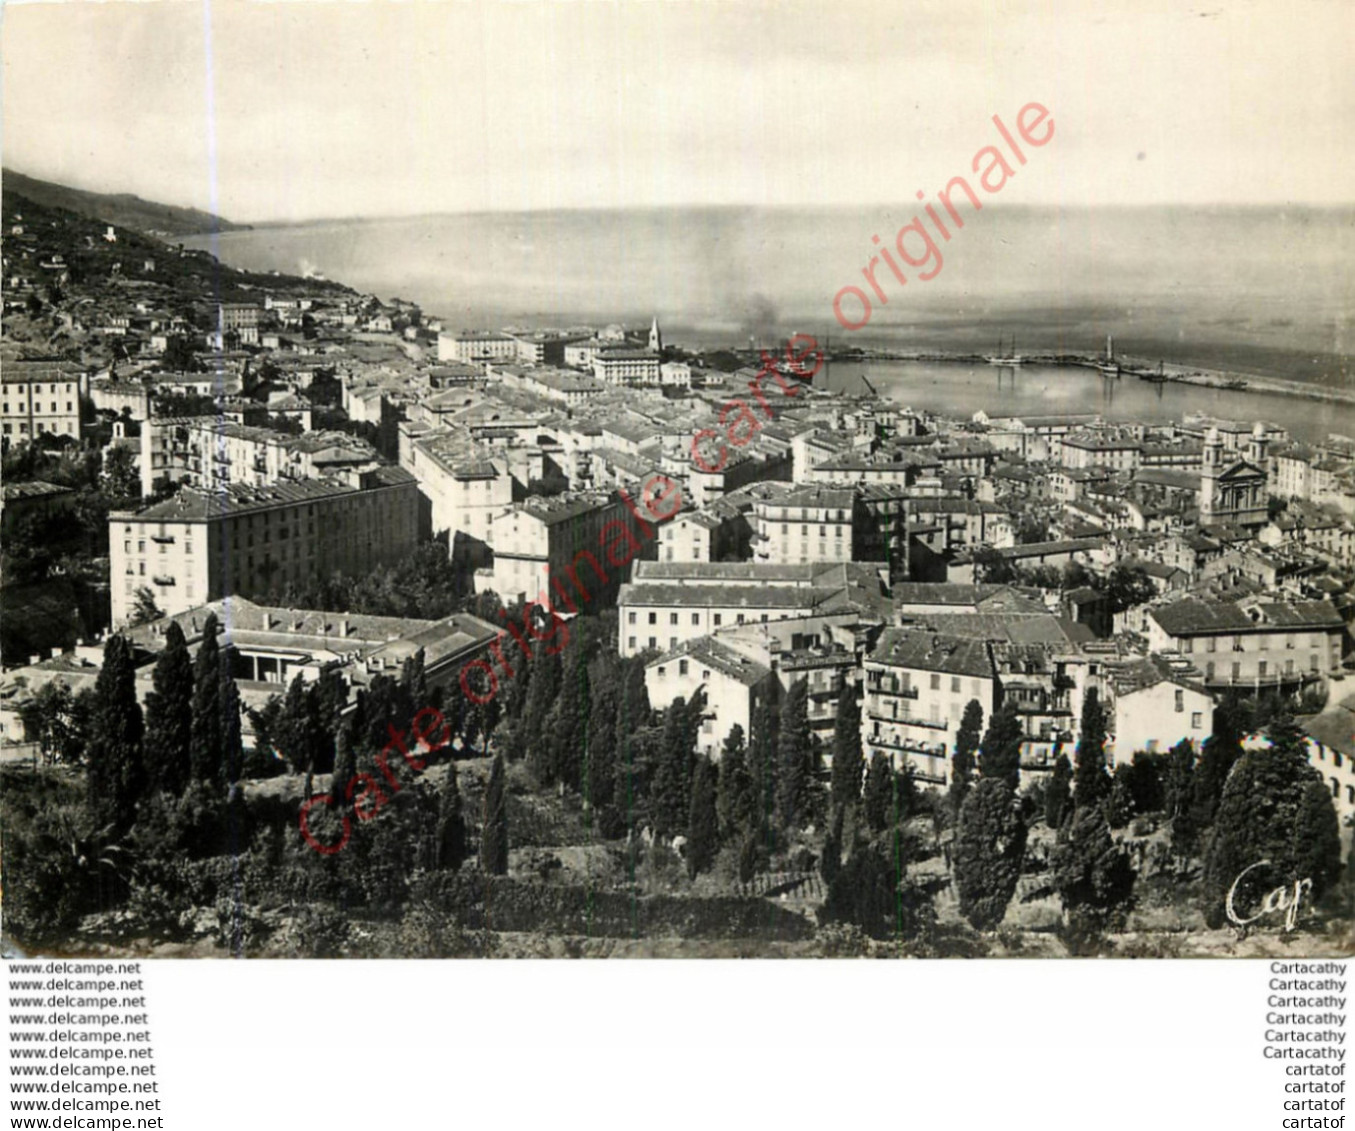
1250	291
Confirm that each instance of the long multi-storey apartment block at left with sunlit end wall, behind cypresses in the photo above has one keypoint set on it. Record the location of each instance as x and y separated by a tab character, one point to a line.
204	545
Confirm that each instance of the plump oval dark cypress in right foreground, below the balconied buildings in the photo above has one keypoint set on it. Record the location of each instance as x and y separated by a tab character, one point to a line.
990	849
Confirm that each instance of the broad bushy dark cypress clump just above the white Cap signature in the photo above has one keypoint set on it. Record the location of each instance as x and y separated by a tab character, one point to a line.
1269	812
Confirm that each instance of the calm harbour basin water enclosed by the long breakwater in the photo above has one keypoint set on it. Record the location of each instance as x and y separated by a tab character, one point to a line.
961	391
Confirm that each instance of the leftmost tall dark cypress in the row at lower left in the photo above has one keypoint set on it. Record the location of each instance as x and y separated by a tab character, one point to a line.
117	777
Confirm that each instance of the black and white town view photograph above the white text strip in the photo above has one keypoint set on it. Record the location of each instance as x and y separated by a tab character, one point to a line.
678	480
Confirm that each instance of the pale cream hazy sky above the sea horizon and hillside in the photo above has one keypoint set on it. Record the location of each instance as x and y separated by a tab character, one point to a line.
299	110
